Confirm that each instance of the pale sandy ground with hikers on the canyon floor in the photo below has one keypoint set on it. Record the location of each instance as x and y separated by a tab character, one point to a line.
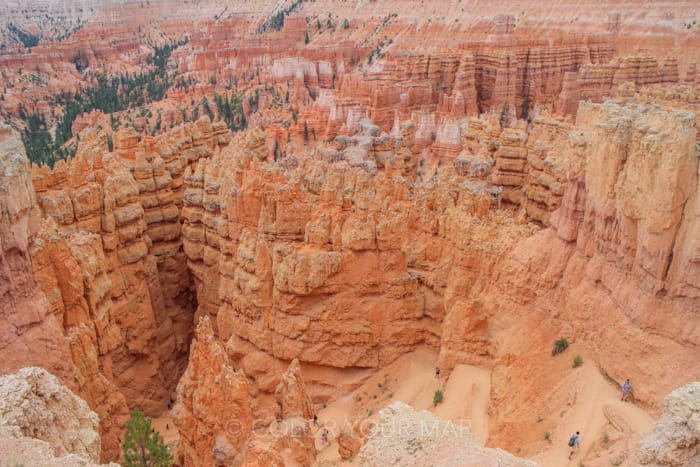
596	410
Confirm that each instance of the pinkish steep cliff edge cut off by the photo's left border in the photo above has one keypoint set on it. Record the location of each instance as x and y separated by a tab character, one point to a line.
29	332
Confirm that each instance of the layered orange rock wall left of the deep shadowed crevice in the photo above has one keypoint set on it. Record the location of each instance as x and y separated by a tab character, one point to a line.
109	260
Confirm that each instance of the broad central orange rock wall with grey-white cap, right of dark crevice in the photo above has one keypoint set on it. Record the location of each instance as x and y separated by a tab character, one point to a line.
329	259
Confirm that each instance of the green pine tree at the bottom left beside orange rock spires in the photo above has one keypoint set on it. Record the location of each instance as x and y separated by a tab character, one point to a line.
144	447
